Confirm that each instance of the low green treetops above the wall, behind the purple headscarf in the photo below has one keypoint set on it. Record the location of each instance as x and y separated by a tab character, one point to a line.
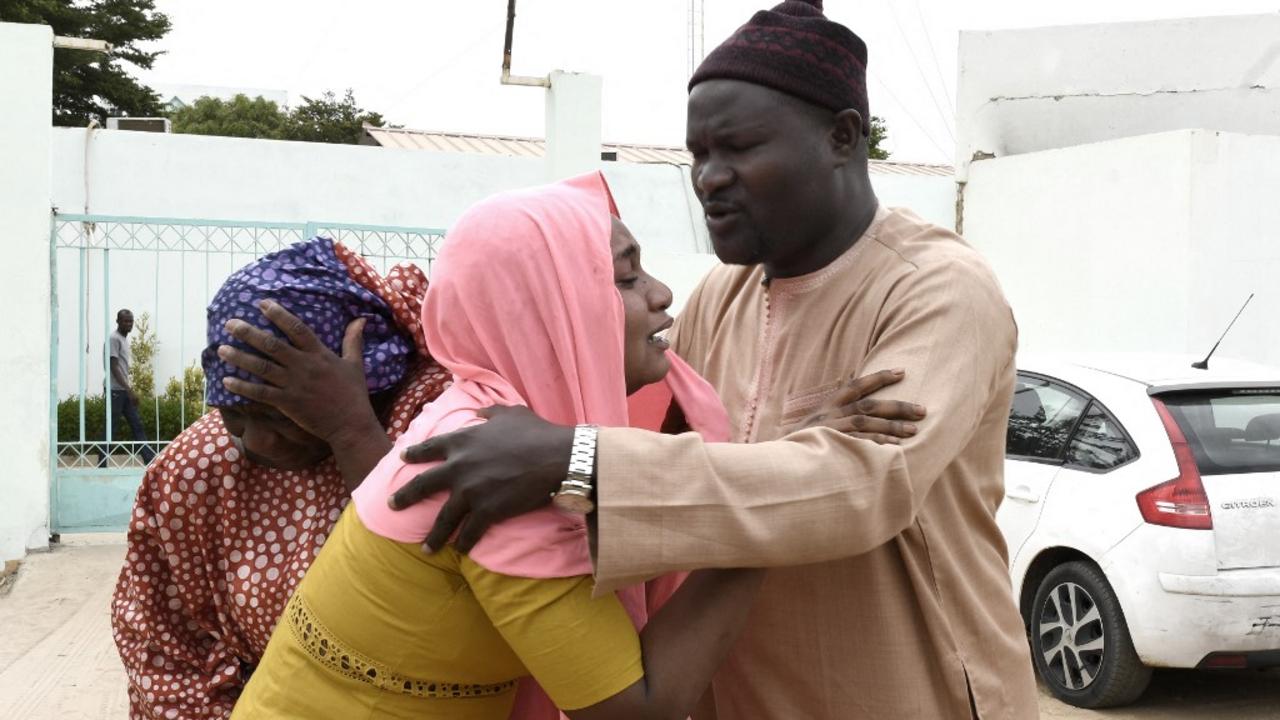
322	120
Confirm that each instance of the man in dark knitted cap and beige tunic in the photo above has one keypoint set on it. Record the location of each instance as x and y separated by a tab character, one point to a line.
889	595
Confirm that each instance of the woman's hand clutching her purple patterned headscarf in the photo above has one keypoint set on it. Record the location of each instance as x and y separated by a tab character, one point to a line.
324	394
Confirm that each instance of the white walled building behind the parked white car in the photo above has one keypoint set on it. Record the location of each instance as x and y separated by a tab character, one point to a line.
1122	180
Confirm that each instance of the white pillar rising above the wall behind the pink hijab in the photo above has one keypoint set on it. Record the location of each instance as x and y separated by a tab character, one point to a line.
573	125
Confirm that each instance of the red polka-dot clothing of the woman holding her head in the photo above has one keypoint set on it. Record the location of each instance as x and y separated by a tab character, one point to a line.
217	545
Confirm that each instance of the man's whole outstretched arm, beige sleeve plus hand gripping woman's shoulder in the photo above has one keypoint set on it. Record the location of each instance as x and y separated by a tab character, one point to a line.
812	496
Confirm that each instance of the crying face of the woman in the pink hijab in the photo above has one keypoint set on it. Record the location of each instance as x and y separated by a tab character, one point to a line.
646	302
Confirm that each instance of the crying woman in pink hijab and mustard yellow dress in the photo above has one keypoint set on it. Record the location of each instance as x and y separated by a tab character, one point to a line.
538	299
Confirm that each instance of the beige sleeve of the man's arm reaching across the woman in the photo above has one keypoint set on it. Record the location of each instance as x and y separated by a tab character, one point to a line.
675	503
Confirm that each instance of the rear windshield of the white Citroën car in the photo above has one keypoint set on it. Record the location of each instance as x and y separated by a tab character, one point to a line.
1231	431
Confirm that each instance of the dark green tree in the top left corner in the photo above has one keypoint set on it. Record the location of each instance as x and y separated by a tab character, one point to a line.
92	85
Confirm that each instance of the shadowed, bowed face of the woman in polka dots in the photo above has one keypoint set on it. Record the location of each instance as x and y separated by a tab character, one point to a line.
272	440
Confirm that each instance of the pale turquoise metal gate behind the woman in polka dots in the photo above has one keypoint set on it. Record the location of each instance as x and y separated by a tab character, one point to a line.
166	271
